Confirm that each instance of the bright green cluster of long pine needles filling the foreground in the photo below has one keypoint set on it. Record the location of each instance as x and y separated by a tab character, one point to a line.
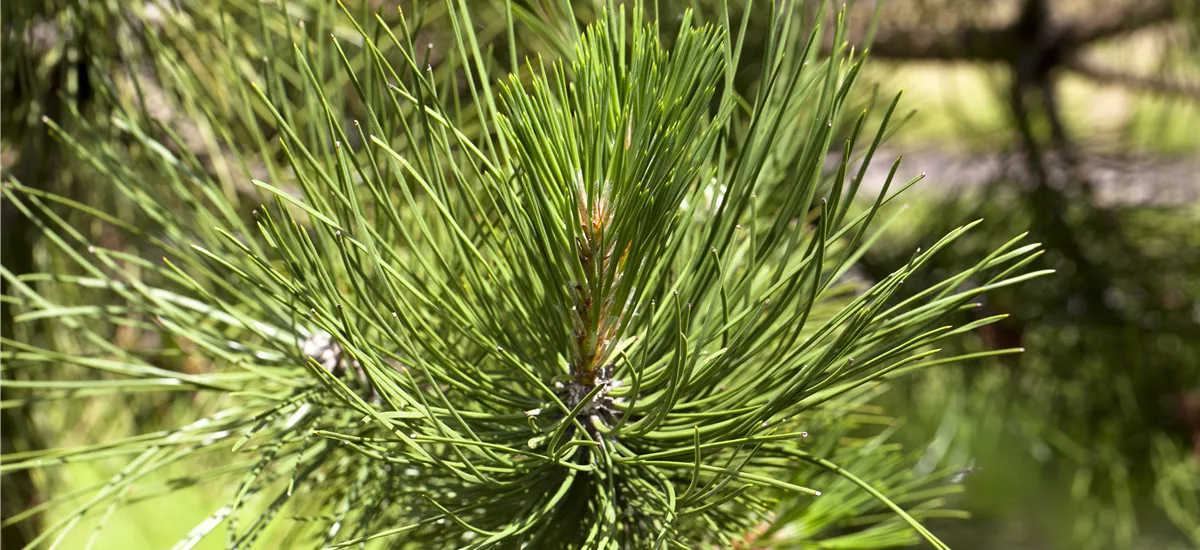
608	306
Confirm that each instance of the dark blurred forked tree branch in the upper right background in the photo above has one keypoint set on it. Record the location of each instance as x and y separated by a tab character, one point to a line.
1039	40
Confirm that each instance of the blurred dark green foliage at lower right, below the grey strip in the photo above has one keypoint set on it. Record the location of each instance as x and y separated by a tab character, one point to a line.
1100	410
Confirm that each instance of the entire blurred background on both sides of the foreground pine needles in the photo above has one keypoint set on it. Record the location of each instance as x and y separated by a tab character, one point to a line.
1073	119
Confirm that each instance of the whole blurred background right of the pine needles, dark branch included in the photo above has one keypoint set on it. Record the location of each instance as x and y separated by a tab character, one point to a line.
1073	119
